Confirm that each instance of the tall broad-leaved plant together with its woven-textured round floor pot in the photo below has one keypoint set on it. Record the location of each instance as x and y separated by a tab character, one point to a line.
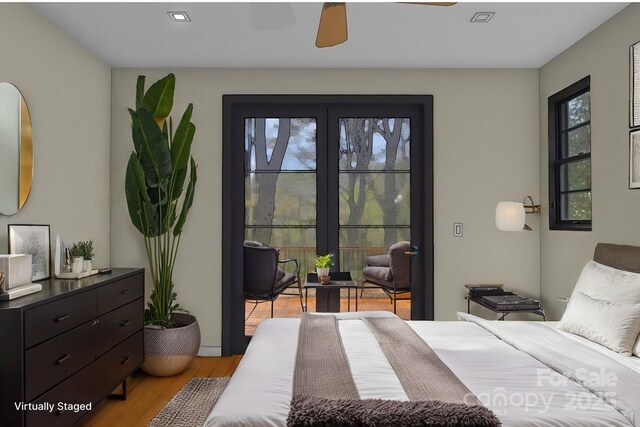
158	208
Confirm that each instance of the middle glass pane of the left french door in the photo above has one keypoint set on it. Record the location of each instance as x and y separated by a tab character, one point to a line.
280	198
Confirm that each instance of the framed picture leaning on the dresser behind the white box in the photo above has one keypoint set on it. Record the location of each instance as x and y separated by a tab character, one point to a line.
34	240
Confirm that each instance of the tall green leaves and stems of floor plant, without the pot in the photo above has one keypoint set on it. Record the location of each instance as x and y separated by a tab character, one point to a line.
154	186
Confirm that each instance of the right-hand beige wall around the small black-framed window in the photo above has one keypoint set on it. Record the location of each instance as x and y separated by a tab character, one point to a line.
603	54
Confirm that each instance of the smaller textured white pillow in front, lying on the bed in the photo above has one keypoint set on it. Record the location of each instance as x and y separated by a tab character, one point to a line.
613	325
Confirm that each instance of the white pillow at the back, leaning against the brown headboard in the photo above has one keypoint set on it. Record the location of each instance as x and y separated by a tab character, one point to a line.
610	284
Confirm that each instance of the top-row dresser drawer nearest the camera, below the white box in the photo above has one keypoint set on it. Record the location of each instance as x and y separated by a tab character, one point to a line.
49	320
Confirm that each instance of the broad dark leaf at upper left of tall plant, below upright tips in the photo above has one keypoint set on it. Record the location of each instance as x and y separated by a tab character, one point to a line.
152	147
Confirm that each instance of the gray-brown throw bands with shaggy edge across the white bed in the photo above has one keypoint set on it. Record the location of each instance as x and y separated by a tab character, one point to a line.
324	393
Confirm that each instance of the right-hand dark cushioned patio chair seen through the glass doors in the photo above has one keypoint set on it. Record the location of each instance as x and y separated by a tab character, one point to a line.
391	272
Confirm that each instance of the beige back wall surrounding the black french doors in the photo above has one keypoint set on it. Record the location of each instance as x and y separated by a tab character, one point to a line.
486	150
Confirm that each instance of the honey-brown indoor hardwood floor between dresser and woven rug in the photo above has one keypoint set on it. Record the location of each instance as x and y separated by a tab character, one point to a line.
147	395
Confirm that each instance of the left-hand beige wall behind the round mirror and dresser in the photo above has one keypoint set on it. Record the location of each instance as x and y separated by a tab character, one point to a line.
68	91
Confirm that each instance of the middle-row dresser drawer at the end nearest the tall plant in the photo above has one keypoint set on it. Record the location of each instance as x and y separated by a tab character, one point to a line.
117	325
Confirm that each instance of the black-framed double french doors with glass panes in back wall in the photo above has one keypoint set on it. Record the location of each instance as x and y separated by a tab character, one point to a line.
346	175
